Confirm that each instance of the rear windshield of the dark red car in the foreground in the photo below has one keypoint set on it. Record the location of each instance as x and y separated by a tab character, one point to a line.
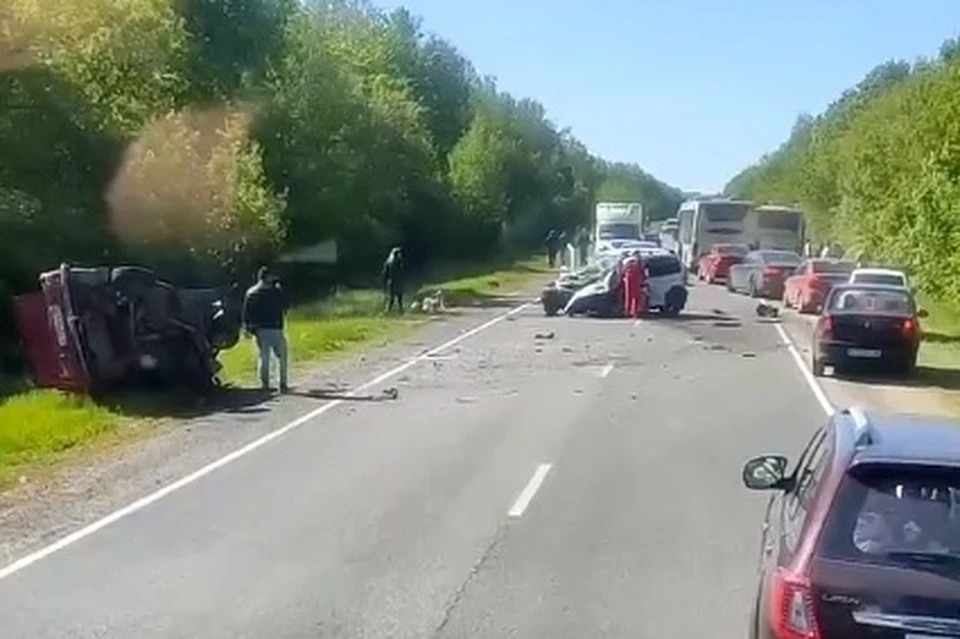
884	513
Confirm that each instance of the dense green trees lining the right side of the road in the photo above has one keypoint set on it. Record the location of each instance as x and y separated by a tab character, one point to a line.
879	170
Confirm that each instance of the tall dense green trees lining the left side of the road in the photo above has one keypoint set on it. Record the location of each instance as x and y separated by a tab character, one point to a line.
202	136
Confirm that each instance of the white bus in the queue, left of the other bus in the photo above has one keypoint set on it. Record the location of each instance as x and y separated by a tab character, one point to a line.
703	223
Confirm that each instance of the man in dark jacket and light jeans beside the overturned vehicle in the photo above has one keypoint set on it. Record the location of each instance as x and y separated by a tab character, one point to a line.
264	306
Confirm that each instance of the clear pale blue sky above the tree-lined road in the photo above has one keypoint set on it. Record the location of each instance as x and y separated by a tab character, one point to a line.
692	90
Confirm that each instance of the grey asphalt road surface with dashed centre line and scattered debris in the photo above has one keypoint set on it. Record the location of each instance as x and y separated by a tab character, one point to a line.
584	485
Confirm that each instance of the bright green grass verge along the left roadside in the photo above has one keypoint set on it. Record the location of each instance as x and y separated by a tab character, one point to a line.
41	427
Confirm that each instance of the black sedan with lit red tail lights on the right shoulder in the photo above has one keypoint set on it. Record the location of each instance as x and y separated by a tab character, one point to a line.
869	325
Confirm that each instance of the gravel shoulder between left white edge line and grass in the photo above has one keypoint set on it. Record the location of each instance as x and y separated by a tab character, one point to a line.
78	492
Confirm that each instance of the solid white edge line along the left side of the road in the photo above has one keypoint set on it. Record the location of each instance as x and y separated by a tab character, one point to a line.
143	502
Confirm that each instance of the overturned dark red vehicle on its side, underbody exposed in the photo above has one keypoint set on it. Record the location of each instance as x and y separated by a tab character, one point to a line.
93	329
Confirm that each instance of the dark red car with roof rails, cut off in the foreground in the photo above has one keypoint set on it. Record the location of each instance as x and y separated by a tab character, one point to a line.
861	539
